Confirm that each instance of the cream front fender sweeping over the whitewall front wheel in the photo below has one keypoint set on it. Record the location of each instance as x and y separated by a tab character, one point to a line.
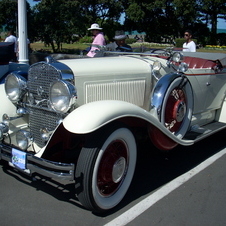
92	116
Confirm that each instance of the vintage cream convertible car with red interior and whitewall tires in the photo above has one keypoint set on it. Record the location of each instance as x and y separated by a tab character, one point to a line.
78	119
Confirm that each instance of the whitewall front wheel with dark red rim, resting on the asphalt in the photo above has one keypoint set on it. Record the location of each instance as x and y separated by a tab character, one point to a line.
104	172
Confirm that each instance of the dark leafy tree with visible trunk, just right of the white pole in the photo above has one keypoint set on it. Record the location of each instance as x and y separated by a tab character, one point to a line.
52	19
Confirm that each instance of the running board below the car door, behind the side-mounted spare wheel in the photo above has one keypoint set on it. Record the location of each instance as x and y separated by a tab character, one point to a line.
198	133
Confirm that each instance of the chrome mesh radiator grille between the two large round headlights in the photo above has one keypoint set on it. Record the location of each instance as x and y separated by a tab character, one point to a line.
40	76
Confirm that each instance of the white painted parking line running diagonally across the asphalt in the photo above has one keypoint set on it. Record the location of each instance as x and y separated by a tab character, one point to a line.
140	207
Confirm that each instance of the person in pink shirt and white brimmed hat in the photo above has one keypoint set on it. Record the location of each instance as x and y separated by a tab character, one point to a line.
98	40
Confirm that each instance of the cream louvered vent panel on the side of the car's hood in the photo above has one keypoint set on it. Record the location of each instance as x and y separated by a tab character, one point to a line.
129	91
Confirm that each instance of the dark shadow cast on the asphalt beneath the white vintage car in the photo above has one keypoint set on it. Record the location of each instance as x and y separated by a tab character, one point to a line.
154	169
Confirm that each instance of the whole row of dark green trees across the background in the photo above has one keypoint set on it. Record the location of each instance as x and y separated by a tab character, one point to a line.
58	21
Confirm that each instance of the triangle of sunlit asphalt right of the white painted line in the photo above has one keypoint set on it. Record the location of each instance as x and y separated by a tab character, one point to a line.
200	201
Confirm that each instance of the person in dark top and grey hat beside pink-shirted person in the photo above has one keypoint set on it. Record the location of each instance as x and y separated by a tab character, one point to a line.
120	43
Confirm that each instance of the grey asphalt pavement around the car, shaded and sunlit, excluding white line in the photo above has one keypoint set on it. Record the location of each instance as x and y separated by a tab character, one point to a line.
198	201
